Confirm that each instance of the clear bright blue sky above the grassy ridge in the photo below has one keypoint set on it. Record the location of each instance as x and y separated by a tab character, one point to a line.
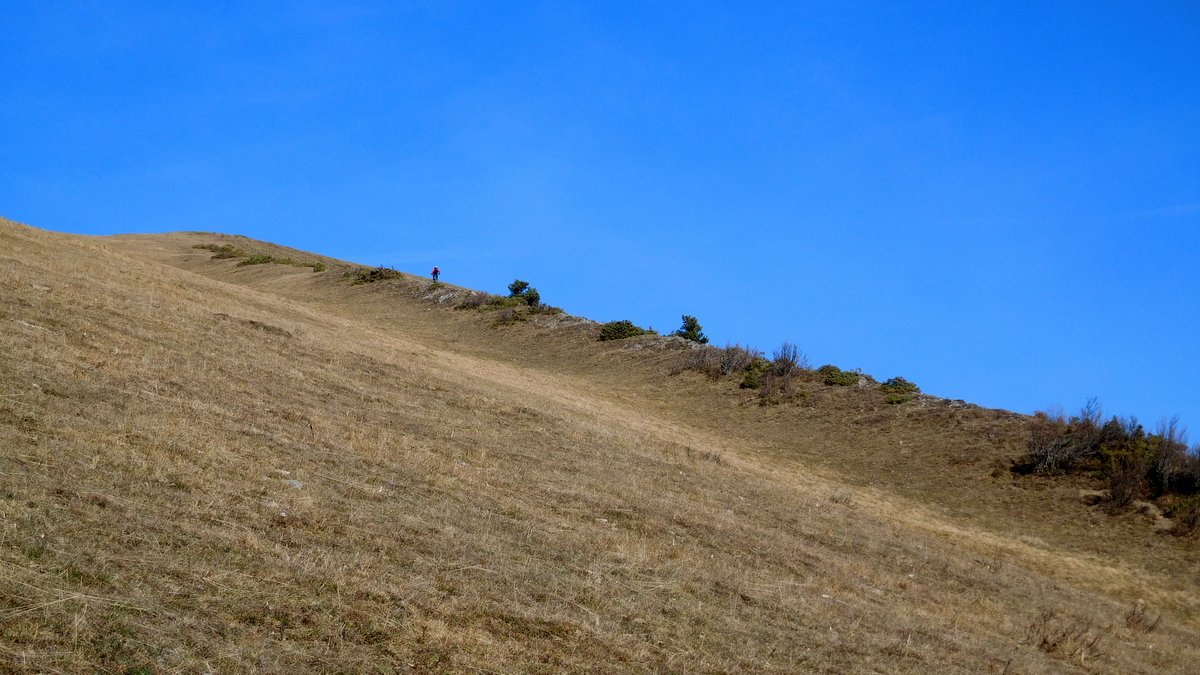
999	201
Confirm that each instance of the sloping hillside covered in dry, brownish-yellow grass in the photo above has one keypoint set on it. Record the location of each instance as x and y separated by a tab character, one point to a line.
265	468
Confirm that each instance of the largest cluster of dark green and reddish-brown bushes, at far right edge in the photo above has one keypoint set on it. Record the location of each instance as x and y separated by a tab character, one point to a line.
1133	463
